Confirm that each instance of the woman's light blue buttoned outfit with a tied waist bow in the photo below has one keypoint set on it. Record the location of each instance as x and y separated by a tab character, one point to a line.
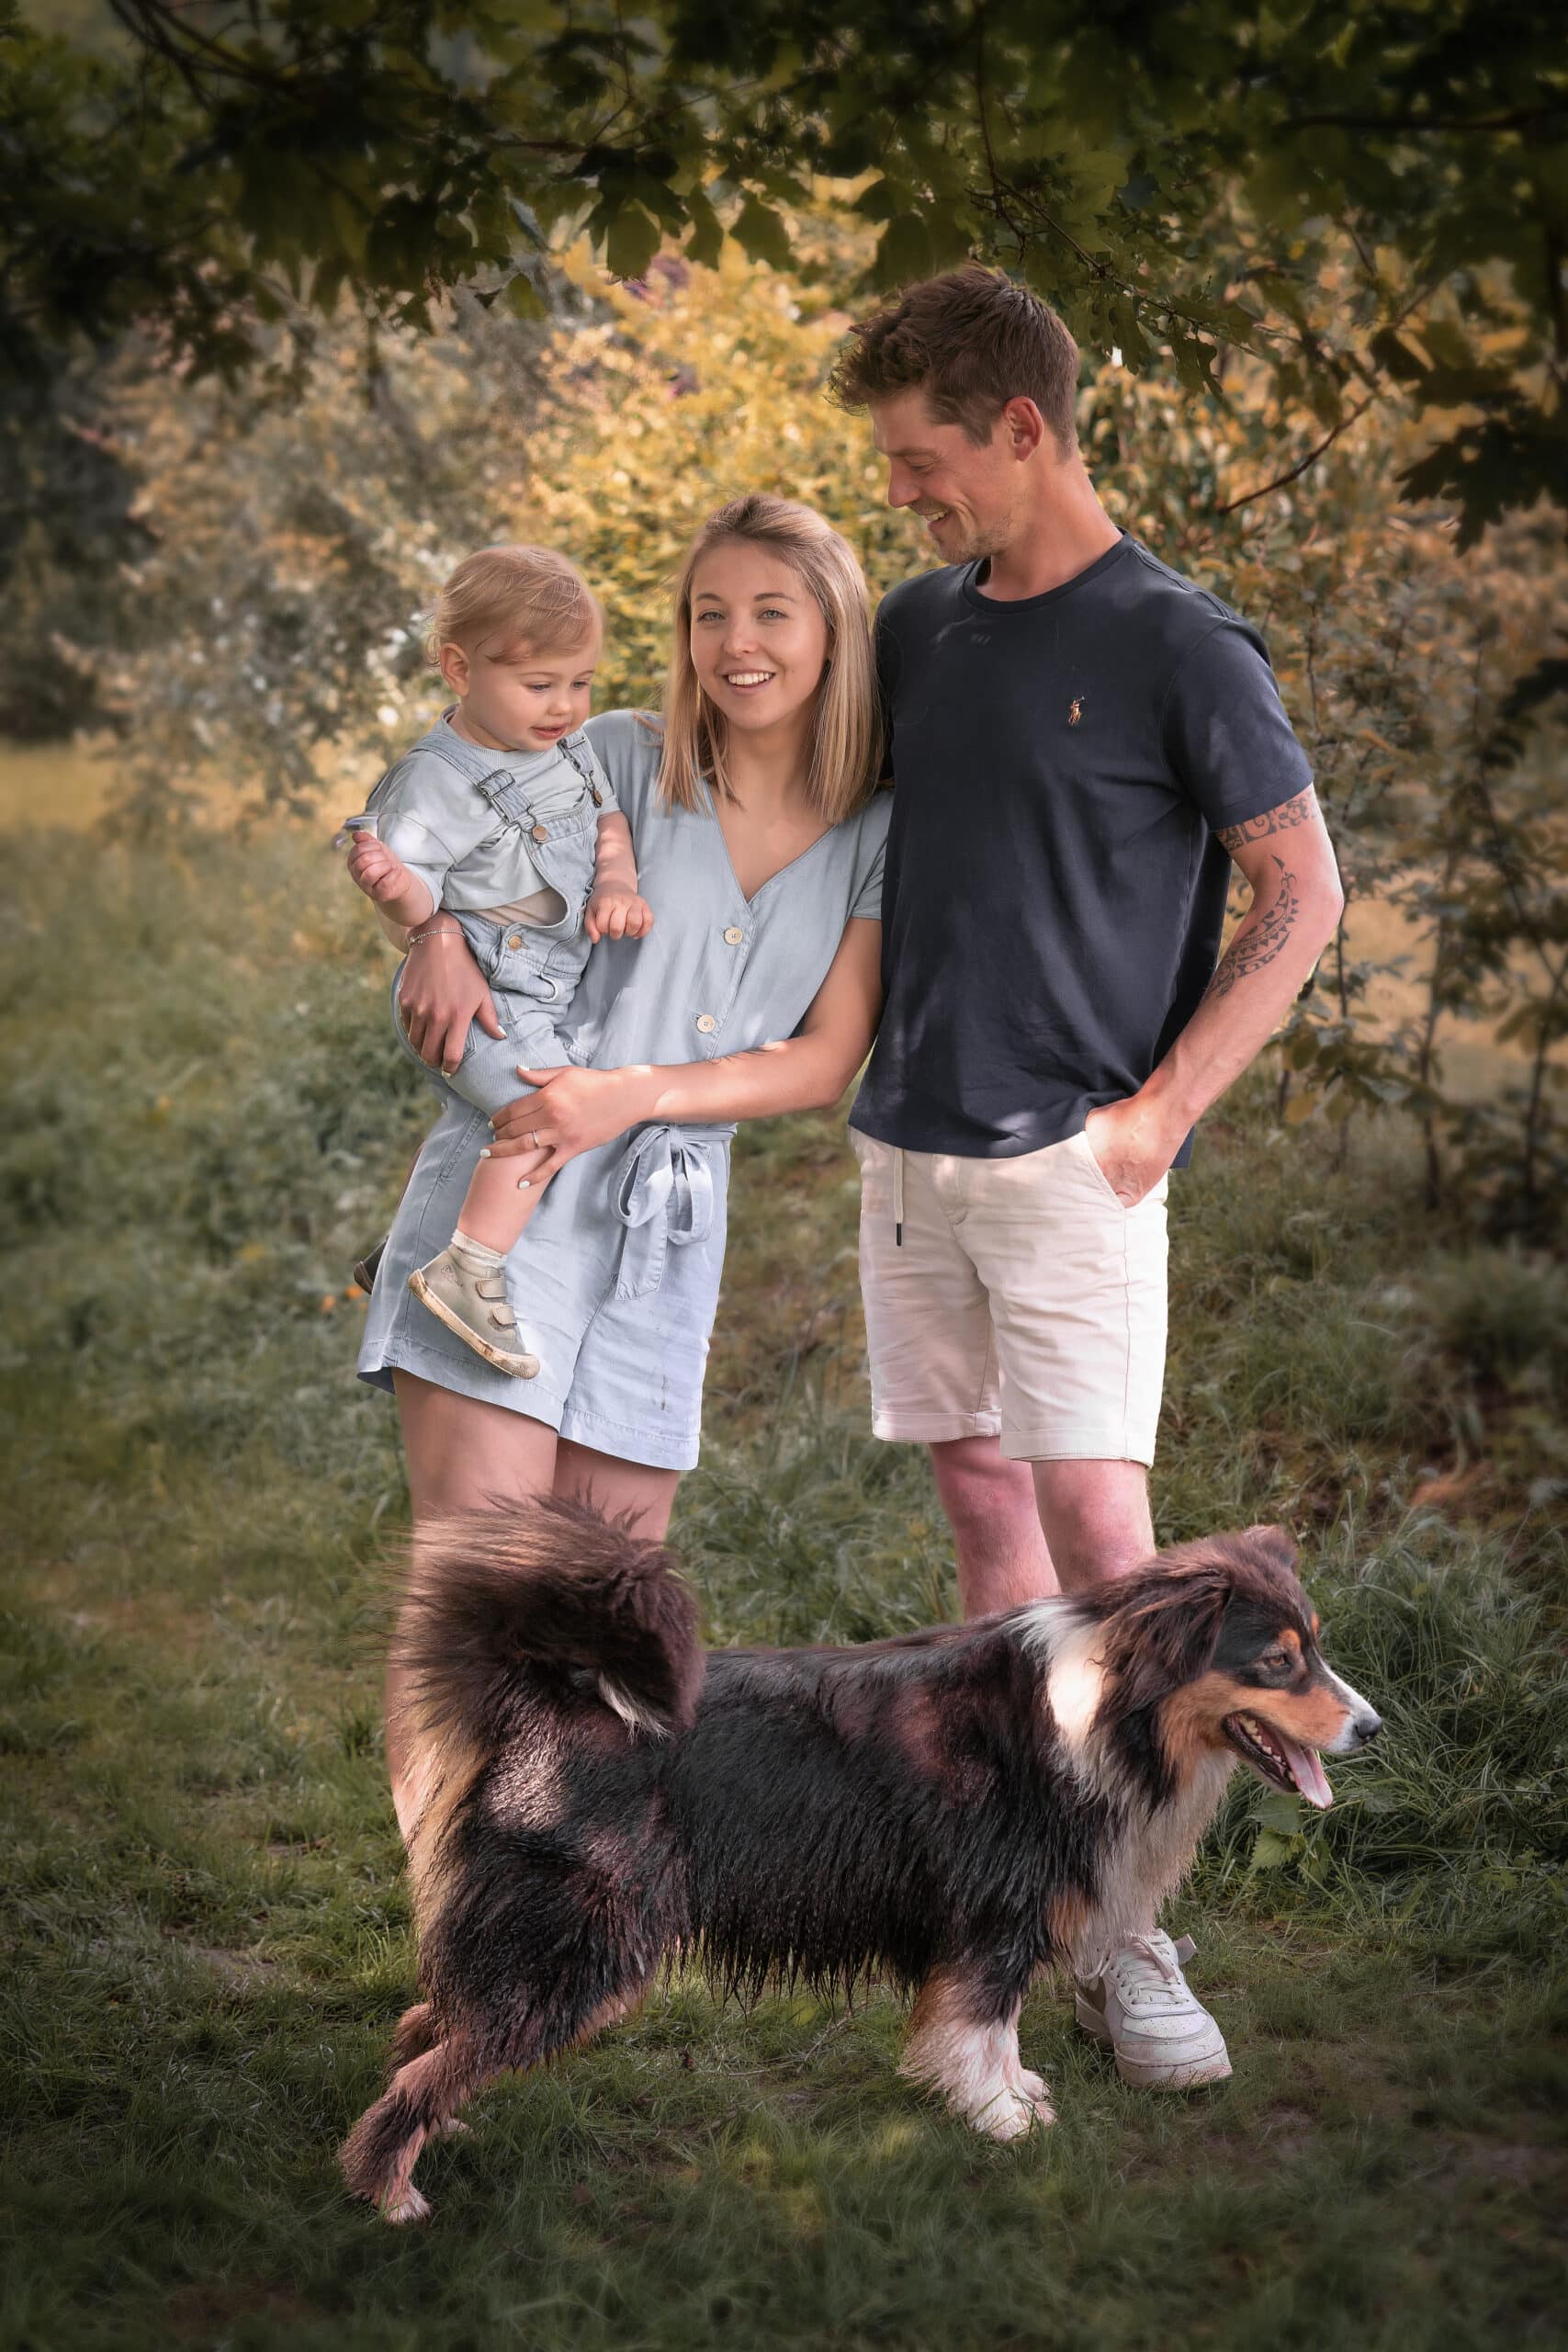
617	1276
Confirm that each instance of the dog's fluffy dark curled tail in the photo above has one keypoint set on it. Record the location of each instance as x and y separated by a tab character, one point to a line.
544	1584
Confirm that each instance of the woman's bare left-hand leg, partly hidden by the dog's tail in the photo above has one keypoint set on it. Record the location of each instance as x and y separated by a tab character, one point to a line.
460	1455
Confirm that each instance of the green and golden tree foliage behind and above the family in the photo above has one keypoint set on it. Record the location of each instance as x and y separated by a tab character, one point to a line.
302	302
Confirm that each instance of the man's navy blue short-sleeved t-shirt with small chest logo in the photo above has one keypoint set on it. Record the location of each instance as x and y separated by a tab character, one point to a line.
1054	888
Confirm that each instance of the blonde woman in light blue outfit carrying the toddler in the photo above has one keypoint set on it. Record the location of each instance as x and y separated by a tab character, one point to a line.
758	991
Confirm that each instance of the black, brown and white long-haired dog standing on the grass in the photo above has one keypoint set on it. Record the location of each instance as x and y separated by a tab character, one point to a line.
956	1810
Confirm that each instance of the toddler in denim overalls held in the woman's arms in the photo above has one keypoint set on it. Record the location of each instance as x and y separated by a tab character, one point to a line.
502	824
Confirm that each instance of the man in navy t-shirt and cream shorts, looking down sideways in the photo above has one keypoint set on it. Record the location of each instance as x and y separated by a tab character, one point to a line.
1083	742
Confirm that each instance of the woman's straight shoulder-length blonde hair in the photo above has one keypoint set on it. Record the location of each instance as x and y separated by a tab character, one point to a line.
845	728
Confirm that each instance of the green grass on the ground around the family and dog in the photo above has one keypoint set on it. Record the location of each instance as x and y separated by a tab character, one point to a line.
206	1935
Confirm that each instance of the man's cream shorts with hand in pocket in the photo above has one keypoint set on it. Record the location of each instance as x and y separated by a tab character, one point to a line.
1026	1302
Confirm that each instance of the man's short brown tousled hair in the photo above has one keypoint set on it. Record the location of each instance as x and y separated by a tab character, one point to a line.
972	342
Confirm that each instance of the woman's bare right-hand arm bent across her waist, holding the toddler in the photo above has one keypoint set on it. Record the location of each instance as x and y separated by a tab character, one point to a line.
579	1109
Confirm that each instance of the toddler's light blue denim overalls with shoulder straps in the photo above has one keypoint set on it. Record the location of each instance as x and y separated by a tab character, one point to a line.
532	968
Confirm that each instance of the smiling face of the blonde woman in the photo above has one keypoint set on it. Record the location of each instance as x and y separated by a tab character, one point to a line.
758	636
